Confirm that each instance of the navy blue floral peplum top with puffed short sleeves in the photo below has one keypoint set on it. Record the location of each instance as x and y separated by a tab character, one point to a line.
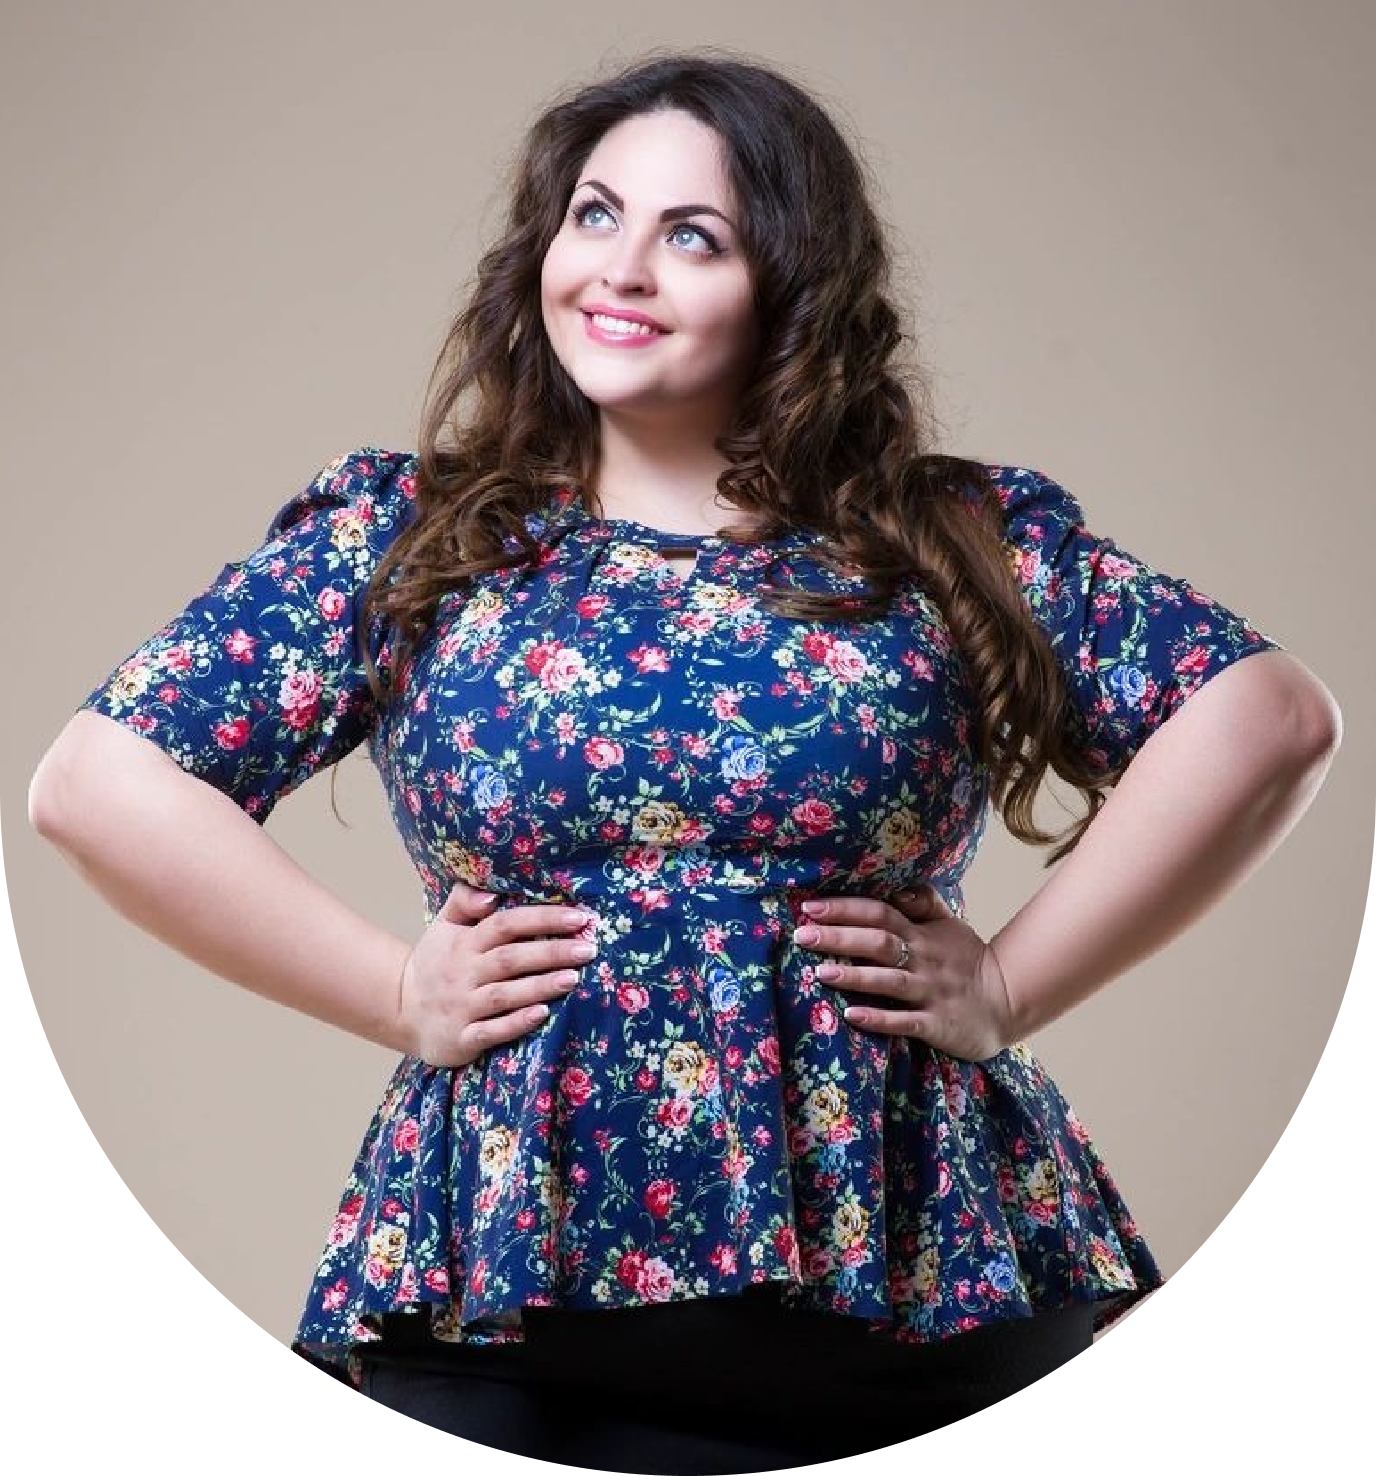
613	728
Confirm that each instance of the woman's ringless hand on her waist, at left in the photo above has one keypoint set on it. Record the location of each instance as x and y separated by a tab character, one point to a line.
478	979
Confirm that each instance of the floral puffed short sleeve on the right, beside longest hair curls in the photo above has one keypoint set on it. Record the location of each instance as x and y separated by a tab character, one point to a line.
1133	641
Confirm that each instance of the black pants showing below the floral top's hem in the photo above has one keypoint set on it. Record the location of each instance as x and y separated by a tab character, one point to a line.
712	1387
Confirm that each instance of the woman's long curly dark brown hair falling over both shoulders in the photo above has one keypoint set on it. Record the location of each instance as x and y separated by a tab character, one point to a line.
836	432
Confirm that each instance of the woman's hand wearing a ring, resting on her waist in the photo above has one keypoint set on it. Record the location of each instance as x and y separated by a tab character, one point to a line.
950	984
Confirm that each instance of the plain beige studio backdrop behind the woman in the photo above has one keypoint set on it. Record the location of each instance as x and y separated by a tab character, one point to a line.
1136	243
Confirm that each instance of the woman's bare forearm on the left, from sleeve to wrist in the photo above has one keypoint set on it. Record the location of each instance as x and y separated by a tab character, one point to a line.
188	866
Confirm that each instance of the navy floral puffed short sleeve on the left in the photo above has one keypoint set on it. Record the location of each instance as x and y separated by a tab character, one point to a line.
259	683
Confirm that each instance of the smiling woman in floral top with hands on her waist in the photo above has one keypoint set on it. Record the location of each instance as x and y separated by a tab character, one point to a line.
683	644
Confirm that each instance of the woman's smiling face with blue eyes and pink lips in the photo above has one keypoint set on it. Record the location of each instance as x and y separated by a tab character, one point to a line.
652	234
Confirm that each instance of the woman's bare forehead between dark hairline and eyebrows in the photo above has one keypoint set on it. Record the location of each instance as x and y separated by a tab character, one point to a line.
662	159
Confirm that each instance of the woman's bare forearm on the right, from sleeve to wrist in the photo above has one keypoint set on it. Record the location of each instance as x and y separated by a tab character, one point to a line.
1207	799
